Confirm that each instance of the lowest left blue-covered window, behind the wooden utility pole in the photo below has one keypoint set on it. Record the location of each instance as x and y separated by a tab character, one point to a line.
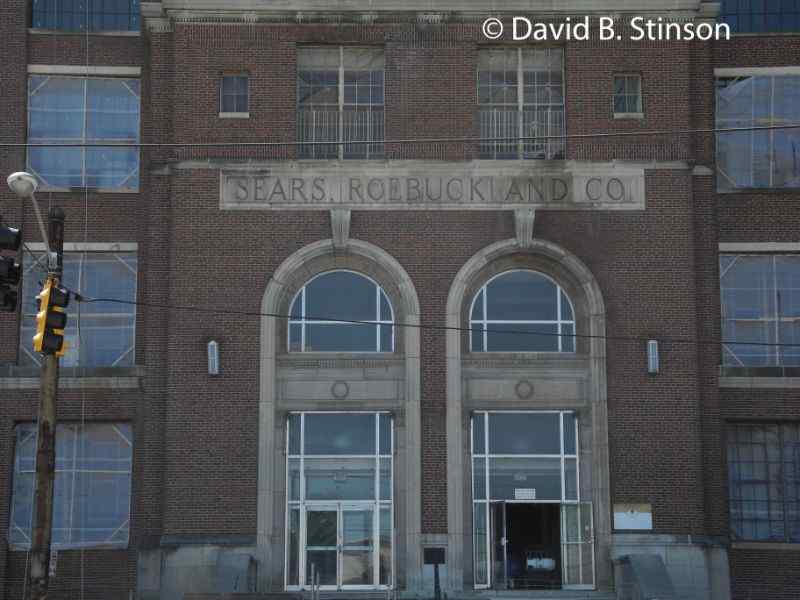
92	496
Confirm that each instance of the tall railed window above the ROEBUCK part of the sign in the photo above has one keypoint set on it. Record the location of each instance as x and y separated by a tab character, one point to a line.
340	99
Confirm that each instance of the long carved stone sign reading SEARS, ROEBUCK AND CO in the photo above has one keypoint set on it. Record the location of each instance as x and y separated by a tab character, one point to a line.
292	186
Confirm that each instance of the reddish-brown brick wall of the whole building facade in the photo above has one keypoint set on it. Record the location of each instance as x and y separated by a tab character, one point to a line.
196	448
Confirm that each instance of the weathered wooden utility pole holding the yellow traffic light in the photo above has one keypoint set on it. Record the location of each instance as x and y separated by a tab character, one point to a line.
46	439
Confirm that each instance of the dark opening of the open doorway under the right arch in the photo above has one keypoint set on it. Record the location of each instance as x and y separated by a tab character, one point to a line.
526	546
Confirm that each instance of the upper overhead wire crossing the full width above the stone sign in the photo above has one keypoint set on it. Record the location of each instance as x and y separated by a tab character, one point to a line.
452	140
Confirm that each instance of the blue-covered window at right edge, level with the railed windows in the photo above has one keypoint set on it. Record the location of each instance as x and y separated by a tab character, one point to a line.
758	159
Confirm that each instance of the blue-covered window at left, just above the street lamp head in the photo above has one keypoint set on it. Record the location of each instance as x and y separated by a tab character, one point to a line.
84	110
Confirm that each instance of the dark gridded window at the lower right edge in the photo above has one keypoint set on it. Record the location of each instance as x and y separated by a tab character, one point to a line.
764	481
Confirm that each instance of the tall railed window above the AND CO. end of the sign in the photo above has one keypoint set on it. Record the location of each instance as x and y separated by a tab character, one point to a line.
520	98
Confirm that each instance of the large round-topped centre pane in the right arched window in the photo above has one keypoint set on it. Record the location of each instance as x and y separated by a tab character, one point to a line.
522	295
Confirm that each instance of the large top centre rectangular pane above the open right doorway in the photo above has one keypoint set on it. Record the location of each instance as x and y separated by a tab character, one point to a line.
524	433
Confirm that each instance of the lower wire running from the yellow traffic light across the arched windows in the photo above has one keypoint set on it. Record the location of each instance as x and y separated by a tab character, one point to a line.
424	326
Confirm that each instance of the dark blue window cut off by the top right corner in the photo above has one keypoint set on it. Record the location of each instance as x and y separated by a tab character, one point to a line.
745	16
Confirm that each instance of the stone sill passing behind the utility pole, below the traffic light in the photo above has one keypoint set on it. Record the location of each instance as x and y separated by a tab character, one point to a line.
13	377
